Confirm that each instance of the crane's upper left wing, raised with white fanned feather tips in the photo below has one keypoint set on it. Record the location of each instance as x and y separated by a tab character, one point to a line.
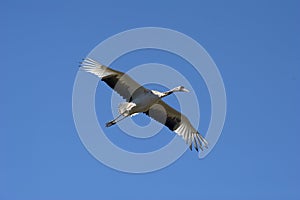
118	81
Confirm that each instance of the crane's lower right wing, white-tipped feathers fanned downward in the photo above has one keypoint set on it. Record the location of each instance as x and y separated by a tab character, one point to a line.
178	123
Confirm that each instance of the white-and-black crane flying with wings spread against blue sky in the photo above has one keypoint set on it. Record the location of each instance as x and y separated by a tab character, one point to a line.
142	100
